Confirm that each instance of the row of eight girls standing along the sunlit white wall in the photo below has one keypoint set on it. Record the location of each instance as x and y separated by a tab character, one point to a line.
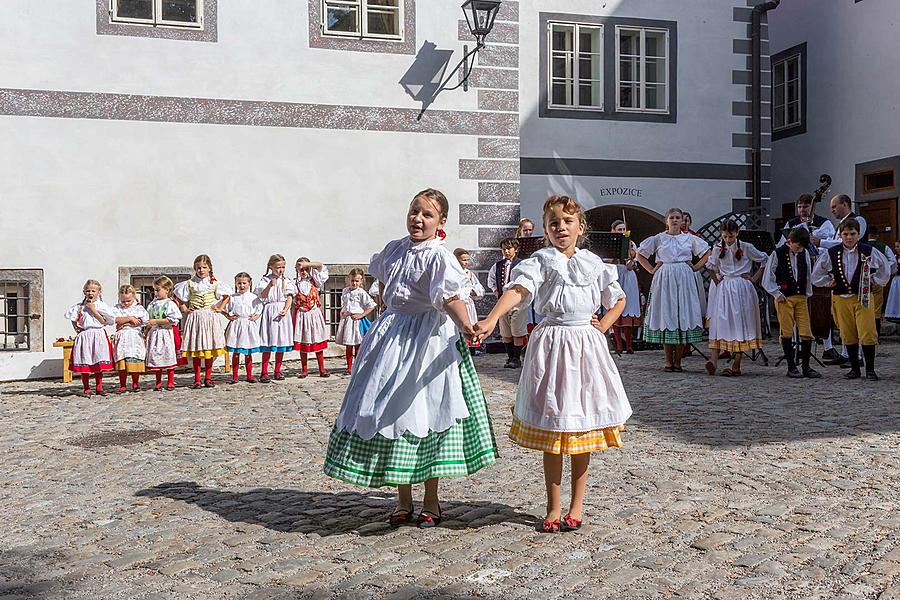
182	322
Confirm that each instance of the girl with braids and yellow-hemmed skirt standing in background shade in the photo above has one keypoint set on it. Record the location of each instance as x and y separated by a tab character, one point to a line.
734	322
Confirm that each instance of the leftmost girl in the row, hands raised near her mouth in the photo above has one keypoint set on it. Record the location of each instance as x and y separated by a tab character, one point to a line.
92	352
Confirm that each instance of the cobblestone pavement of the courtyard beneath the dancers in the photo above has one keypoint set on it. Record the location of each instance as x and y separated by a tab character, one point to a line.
758	487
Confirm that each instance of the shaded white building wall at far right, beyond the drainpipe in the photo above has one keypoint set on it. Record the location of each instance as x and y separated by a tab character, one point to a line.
853	98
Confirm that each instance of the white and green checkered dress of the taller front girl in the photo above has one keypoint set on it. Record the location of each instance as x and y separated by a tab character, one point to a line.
414	408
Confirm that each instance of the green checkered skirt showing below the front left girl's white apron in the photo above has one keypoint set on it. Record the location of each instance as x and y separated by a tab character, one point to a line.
461	450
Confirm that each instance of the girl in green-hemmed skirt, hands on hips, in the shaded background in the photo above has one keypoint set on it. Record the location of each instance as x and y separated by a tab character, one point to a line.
674	316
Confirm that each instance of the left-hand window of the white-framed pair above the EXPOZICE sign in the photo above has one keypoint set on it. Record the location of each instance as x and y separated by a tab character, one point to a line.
576	66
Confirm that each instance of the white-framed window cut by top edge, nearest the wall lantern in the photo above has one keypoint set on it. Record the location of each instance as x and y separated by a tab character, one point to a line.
378	19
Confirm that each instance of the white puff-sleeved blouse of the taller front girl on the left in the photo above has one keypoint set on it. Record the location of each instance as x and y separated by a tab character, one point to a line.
420	276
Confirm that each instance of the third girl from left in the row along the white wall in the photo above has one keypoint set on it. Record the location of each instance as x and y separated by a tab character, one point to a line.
163	336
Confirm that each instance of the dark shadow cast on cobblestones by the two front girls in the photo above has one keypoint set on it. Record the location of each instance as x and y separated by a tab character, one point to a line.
296	511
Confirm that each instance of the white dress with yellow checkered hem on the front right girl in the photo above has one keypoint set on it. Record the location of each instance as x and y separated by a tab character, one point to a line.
570	398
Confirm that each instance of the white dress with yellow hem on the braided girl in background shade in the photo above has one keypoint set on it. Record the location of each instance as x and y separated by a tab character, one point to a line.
734	320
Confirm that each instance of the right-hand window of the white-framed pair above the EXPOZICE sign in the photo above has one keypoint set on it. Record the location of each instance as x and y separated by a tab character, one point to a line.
642	56
